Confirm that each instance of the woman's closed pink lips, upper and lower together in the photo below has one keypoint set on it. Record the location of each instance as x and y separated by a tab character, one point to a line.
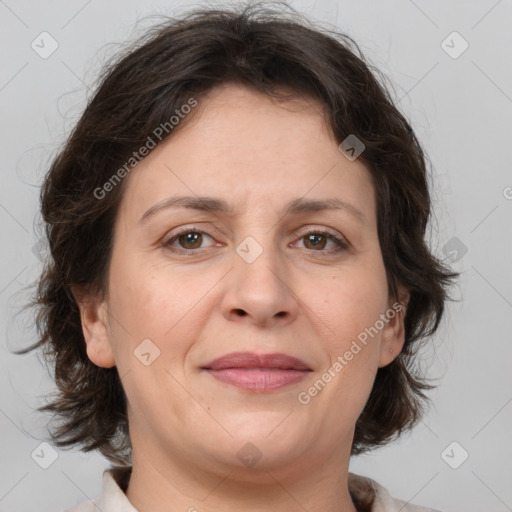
258	372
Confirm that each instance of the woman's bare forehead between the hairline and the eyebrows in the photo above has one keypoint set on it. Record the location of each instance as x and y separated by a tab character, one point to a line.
253	151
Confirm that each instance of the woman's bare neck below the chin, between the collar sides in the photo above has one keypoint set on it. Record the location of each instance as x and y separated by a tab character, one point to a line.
190	487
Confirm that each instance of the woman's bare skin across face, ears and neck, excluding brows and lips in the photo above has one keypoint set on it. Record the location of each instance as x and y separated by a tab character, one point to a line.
305	300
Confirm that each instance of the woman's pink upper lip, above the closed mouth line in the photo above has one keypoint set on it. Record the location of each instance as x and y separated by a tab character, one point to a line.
253	360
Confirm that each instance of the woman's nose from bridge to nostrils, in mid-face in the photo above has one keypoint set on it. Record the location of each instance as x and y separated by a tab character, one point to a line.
260	291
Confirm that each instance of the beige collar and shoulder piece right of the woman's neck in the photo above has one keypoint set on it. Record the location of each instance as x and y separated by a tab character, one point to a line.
375	498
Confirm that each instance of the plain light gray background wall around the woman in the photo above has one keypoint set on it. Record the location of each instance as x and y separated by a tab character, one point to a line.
461	109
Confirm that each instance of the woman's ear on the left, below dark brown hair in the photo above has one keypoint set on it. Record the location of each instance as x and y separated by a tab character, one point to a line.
93	314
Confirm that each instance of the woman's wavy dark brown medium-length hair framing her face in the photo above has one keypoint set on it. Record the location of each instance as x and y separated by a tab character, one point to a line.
271	51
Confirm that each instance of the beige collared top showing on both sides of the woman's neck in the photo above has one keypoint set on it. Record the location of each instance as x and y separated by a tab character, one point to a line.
367	495
